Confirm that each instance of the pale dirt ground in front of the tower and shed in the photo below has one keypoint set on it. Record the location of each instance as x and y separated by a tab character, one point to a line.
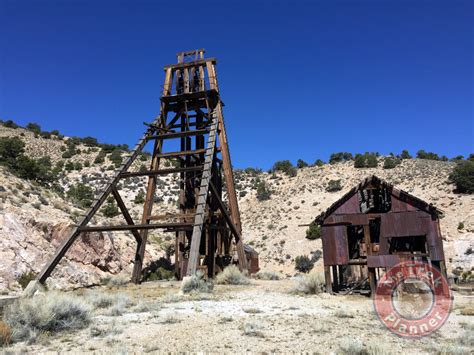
264	316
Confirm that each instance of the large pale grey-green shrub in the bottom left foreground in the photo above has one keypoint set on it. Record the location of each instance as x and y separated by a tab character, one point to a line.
50	313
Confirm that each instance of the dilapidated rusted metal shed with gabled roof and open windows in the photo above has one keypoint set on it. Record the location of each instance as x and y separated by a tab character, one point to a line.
374	227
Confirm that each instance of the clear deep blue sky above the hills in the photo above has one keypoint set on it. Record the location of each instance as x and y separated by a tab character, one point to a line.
300	79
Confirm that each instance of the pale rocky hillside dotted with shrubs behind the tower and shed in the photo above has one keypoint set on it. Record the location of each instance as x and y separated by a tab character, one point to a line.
33	219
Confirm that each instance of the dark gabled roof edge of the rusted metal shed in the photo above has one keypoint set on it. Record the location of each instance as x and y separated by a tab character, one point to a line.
374	180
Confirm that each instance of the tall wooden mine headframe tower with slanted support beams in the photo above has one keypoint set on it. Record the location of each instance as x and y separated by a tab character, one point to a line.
208	231
